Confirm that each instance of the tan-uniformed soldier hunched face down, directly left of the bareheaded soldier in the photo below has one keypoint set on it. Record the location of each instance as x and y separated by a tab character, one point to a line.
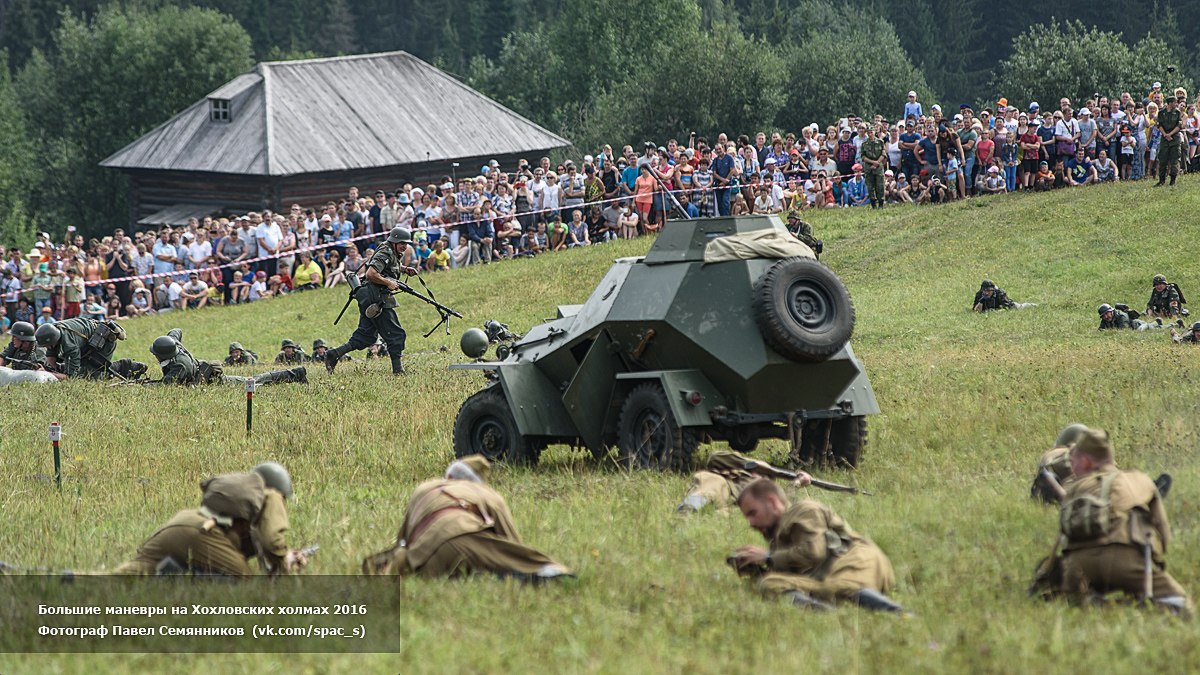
457	527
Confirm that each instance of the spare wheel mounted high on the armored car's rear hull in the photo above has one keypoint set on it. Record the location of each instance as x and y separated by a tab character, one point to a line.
803	310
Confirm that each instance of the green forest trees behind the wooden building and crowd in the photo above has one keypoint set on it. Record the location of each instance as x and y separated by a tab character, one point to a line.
82	79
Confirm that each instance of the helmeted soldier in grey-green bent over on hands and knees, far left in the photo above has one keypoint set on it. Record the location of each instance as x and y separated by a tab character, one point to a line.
85	348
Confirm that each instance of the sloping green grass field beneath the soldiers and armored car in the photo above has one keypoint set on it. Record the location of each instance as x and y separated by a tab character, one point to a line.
969	404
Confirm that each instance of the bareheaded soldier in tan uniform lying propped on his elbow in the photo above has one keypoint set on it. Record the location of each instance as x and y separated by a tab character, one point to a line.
815	558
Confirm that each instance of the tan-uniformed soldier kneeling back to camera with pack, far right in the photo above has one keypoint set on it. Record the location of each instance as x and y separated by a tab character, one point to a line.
1114	531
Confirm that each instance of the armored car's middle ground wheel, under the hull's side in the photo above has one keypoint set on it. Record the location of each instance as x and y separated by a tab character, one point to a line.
650	435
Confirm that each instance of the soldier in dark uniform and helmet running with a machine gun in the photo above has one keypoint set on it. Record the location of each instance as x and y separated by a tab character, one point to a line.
377	313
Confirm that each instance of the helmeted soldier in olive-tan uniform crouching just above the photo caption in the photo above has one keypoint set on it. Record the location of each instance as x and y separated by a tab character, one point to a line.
242	516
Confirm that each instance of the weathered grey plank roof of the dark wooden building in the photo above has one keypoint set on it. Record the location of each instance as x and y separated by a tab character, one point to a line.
344	114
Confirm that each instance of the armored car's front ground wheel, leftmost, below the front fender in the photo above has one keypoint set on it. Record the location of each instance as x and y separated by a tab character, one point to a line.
485	426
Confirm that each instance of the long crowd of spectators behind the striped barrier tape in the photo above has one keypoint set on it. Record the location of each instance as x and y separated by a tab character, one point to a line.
932	157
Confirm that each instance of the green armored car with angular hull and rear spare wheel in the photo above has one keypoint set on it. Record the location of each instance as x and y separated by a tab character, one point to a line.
728	330
